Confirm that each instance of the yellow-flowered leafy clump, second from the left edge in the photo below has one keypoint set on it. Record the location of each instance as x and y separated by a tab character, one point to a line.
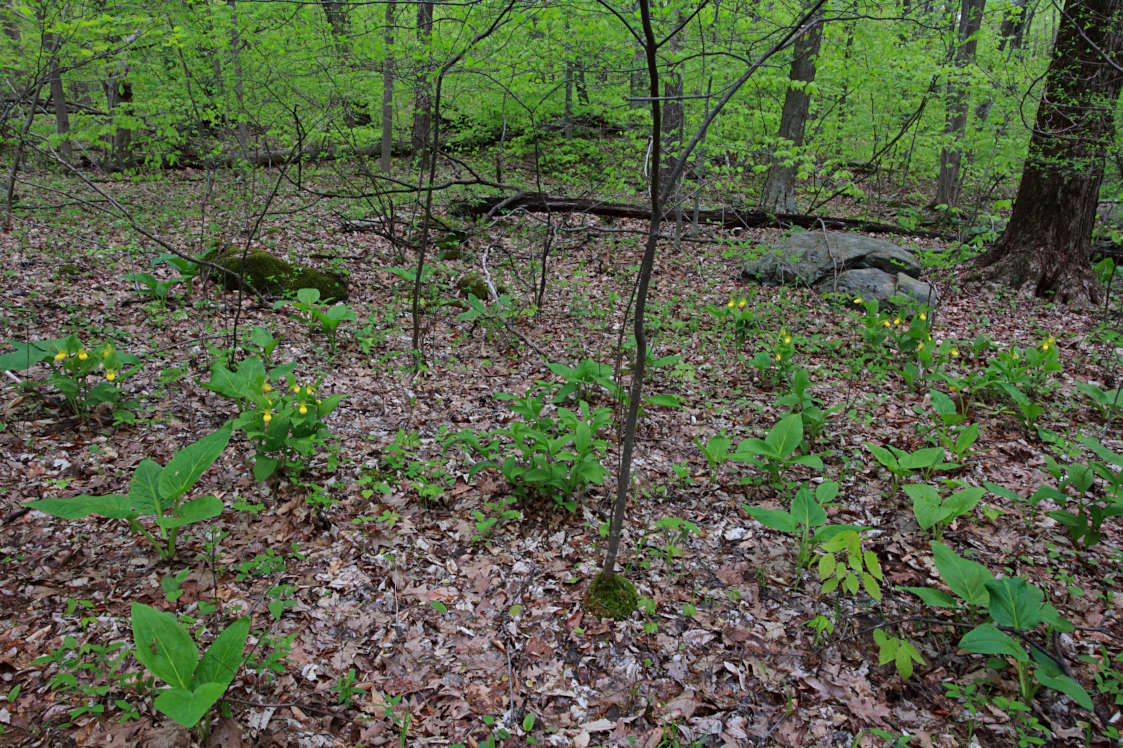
286	425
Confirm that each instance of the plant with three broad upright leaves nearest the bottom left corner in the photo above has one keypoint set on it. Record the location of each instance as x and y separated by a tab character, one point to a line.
170	653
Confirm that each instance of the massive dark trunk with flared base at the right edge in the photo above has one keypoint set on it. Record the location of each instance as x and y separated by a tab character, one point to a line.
1047	243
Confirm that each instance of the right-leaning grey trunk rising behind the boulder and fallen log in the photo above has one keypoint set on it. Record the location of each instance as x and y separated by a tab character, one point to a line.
779	194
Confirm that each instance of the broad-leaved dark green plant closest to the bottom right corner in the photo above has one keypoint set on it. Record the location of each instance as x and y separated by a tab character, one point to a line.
1010	604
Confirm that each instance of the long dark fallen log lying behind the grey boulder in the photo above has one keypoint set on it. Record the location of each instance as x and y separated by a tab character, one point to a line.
729	218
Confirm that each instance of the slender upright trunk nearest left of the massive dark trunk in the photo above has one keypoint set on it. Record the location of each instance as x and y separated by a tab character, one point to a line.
955	124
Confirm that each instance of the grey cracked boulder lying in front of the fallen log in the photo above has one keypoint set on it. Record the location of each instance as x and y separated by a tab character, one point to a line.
846	263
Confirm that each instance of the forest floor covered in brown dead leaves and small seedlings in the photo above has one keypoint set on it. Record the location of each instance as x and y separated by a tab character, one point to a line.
386	609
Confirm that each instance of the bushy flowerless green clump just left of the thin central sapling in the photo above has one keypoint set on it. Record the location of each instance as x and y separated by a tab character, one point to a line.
554	457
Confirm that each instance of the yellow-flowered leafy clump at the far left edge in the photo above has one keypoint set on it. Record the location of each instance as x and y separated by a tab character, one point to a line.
87	376
